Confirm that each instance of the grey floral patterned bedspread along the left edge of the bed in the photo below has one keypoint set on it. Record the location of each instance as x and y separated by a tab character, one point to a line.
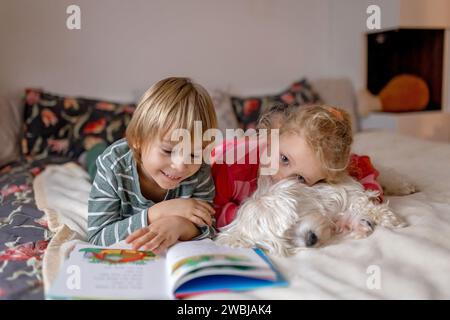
23	231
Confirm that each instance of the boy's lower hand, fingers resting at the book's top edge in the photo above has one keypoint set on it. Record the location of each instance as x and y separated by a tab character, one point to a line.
160	235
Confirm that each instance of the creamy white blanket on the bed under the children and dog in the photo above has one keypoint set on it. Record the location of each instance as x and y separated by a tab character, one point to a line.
409	263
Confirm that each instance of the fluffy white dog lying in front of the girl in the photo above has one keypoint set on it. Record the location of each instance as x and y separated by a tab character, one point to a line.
286	216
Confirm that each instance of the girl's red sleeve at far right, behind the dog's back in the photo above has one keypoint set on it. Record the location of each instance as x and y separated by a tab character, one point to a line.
361	168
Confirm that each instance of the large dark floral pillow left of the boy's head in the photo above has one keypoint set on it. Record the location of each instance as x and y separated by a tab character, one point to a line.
66	126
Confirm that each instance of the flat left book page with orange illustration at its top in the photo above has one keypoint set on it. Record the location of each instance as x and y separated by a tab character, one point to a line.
92	272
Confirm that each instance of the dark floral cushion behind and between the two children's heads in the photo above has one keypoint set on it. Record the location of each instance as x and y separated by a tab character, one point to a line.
249	109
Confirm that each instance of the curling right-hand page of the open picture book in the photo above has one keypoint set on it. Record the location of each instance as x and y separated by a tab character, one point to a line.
184	258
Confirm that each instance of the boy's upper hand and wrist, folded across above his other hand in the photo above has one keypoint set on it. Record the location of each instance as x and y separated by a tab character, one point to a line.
197	211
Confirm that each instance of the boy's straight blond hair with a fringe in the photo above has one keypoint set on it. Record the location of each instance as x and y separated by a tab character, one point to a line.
169	104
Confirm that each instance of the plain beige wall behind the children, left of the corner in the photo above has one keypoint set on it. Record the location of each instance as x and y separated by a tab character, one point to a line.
248	46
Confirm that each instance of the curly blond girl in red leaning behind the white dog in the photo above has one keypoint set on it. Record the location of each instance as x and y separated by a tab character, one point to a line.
314	146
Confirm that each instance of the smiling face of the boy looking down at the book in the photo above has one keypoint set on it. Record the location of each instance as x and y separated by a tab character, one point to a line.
158	165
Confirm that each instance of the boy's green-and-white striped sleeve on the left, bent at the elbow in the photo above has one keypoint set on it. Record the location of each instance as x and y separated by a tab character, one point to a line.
106	225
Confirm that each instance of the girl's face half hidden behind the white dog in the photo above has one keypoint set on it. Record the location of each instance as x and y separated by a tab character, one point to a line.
297	159
